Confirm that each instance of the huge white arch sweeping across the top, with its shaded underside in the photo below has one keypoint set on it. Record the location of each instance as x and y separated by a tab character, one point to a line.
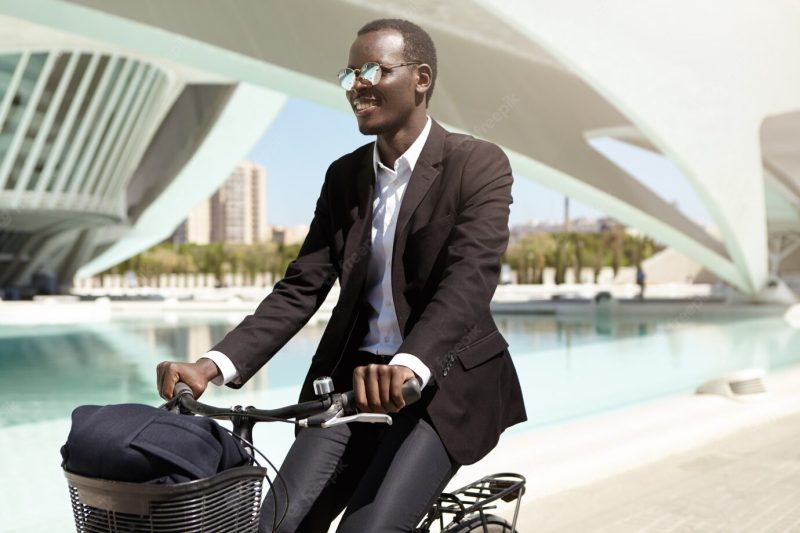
715	87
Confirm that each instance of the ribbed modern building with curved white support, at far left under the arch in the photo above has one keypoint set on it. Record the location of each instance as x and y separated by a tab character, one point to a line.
104	149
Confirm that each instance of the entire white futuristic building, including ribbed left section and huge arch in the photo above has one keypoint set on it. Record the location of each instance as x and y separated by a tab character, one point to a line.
153	101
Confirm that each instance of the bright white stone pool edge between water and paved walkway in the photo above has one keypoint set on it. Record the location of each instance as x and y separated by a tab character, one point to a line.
578	453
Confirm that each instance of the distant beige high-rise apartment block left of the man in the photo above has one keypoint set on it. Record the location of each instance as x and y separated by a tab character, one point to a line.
236	213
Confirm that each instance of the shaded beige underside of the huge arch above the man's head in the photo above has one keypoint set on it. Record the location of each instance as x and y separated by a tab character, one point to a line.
469	37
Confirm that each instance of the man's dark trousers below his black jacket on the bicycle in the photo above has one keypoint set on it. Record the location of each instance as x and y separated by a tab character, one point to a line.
386	477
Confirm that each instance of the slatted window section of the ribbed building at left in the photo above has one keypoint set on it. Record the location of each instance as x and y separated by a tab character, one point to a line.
92	109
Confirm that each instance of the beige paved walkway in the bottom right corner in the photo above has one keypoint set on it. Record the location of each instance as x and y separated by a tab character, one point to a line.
747	482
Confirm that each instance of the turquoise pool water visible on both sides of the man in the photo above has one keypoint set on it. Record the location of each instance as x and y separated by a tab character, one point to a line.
569	365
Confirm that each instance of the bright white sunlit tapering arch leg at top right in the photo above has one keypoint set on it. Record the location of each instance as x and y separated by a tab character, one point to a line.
697	79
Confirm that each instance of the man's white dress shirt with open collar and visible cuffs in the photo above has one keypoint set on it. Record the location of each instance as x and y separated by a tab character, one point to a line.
384	335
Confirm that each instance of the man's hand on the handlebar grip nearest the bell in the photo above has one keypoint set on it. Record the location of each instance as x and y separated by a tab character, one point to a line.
379	388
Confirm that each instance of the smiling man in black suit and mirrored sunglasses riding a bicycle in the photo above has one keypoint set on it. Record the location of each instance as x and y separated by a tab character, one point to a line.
413	226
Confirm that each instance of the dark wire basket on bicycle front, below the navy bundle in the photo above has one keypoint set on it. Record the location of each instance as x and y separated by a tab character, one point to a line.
228	502
